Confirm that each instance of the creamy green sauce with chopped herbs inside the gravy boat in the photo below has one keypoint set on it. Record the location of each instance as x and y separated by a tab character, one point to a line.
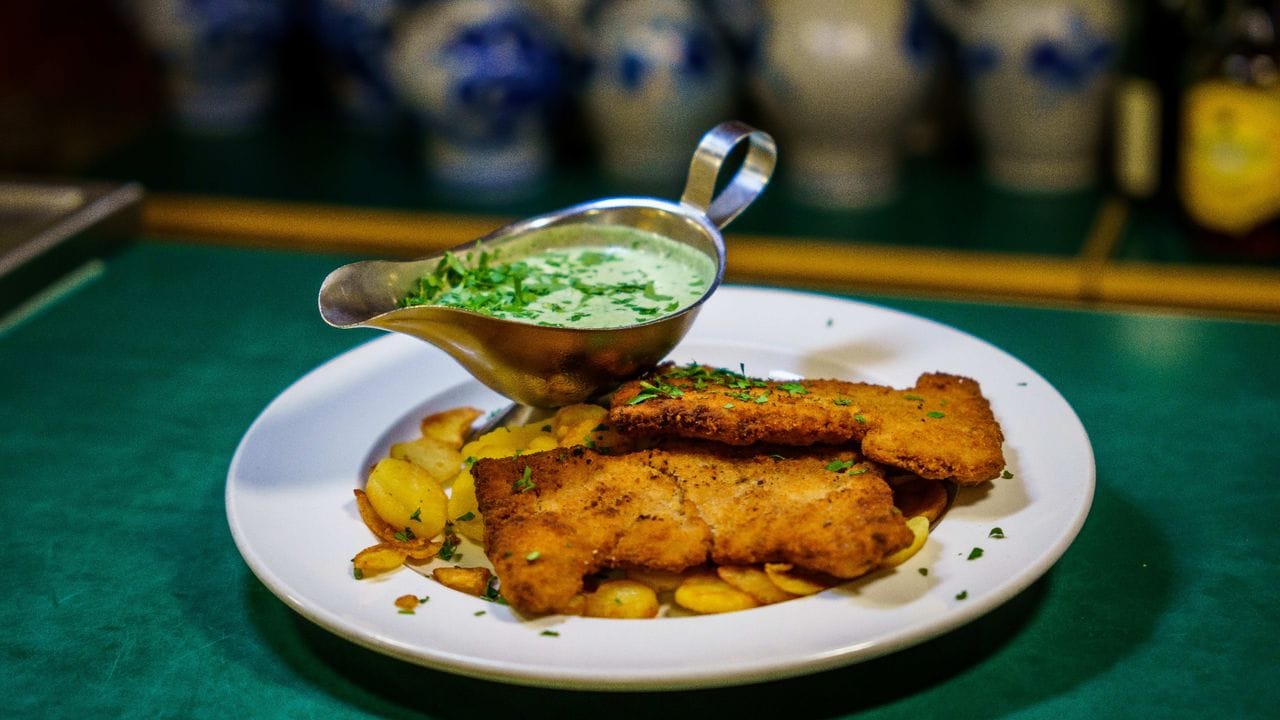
579	276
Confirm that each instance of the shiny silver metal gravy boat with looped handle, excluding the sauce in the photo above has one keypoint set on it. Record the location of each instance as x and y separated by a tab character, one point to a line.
546	367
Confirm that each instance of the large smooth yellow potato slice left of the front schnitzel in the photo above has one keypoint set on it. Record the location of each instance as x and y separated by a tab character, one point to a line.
408	498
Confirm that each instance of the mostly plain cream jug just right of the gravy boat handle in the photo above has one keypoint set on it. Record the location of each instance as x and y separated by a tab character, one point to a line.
839	83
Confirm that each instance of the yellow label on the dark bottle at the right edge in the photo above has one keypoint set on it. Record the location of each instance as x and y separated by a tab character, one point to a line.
1232	156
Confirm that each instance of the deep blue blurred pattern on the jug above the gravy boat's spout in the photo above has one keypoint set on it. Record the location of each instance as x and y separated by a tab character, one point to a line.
502	71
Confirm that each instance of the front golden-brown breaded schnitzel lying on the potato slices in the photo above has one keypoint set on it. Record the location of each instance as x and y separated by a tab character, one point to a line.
555	518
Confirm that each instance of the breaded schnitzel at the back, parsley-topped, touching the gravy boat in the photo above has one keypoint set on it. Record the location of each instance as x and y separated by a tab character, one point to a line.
941	430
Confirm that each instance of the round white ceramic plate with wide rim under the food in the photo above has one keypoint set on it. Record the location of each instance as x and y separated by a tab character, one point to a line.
294	518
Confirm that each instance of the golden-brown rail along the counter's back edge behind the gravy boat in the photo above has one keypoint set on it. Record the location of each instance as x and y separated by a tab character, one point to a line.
1092	277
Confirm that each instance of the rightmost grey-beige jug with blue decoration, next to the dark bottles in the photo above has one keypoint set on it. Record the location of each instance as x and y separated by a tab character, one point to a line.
1039	76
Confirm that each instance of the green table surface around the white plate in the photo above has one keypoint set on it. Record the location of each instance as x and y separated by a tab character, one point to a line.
125	399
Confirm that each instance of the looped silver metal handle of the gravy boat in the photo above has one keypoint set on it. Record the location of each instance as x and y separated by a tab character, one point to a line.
744	188
